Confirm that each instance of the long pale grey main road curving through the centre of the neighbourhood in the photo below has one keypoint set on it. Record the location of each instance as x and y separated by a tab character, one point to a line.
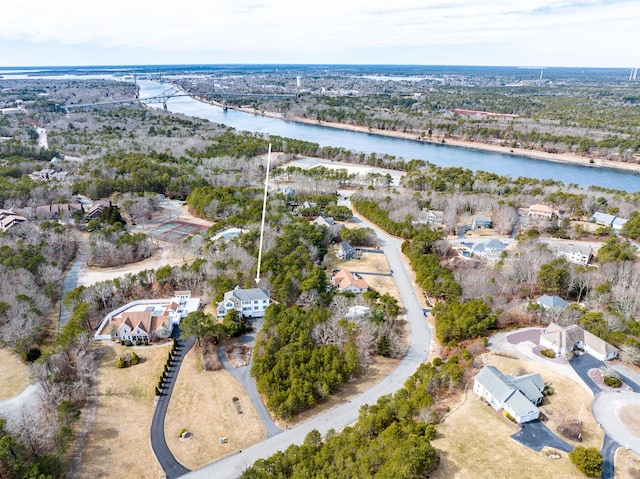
346	414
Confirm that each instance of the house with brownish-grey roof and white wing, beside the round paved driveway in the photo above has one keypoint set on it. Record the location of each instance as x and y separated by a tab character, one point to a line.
563	340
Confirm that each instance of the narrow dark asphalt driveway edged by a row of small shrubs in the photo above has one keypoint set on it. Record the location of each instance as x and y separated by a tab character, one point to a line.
171	467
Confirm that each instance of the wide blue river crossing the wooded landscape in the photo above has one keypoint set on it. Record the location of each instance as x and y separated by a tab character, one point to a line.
441	155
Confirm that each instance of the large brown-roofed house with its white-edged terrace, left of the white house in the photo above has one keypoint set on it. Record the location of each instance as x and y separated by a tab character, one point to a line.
147	319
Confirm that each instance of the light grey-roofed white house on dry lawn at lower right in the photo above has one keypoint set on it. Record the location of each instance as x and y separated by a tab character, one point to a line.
518	396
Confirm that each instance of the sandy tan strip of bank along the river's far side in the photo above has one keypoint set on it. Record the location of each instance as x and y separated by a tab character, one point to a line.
567	158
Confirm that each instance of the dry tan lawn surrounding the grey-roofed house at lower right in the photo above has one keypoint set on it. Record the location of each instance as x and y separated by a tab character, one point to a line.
475	441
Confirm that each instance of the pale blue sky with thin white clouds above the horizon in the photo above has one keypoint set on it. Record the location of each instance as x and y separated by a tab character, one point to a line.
582	33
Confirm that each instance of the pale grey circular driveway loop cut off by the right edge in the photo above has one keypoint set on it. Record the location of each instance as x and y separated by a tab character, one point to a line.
604	409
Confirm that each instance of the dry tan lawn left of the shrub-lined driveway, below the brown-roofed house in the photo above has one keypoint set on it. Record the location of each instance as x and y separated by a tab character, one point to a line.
119	444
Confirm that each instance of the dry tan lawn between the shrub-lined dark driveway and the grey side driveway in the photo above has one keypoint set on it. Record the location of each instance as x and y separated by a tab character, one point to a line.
202	402
